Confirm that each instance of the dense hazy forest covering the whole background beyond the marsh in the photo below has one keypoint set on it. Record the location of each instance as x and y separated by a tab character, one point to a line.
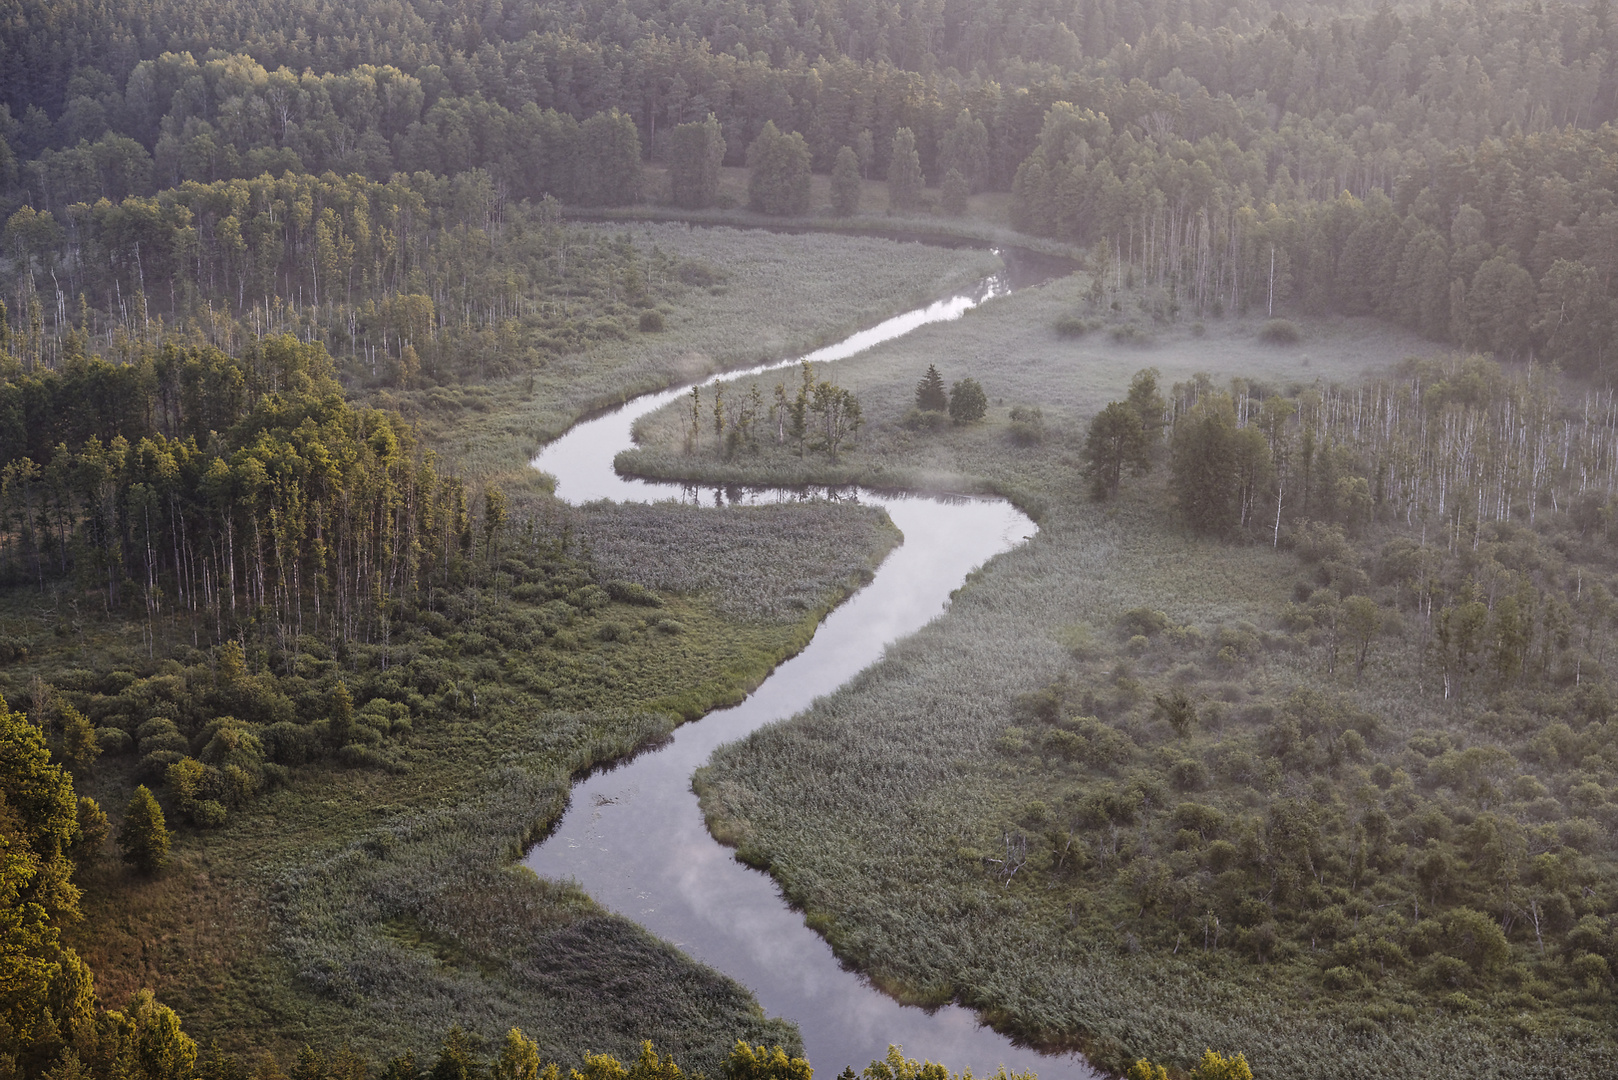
1447	169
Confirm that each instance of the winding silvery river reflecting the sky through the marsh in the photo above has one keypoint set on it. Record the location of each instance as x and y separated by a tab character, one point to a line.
633	836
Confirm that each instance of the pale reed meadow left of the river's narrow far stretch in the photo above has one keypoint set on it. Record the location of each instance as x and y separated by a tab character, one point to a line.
748	297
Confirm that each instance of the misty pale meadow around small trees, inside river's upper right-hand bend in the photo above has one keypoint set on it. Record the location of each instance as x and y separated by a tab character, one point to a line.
1014	349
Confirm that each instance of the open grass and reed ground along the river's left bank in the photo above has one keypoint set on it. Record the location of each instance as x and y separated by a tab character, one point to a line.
378	908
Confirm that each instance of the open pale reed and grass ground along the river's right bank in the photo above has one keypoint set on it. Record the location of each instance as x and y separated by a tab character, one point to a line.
892	846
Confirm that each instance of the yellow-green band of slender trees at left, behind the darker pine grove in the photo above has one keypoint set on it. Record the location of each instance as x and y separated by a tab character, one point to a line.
417	279
